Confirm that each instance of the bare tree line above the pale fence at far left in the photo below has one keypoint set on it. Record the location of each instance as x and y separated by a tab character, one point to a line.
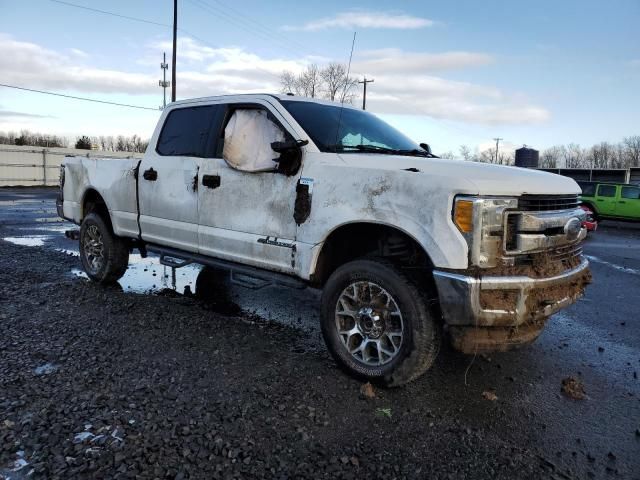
109	143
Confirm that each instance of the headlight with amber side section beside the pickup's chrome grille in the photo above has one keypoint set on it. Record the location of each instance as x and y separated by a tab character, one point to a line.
481	222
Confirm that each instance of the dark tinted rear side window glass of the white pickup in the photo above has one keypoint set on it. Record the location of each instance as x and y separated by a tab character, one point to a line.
190	132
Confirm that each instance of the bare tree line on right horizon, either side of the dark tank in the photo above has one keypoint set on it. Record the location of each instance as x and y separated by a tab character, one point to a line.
623	154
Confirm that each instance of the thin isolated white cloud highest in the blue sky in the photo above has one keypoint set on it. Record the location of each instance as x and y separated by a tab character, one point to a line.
363	19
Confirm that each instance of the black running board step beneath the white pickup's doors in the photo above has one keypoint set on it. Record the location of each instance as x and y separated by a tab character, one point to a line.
175	258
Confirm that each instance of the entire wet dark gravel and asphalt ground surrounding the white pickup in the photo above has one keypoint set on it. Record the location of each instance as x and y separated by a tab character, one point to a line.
141	381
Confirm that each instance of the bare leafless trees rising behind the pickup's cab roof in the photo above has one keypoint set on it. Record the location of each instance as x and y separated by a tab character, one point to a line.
330	82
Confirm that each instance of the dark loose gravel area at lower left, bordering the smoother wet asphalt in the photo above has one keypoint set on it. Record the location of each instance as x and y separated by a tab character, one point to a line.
97	383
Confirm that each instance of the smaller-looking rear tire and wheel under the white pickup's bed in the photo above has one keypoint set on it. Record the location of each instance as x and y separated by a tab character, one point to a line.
98	240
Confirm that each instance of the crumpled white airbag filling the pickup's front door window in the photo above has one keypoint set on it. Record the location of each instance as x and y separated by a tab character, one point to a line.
247	141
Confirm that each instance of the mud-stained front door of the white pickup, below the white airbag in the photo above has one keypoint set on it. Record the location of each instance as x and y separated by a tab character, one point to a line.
247	216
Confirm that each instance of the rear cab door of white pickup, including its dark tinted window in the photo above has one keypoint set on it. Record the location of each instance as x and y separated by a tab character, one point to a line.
168	177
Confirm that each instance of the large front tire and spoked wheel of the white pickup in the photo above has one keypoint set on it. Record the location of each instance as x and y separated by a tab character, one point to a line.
421	333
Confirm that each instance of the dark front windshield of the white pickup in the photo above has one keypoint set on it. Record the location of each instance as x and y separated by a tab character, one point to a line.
359	130
